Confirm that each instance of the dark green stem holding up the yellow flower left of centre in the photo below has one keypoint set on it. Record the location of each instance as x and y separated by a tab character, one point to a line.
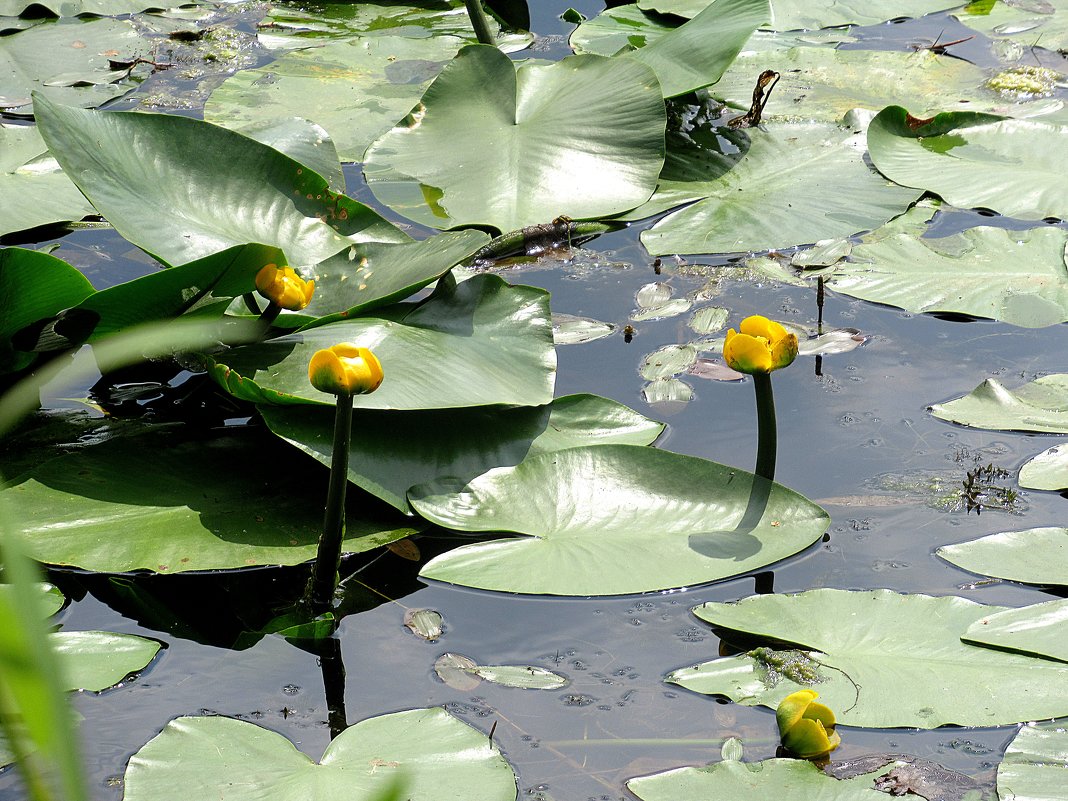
328	558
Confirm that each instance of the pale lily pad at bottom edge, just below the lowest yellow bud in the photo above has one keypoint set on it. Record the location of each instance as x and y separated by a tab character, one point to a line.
797	780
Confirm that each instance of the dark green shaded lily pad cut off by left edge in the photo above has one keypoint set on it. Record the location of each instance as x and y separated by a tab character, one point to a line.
34	287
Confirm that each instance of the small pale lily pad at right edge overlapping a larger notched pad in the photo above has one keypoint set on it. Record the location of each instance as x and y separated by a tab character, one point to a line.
1040	630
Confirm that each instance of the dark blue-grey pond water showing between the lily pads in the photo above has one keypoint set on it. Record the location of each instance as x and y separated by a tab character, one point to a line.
855	436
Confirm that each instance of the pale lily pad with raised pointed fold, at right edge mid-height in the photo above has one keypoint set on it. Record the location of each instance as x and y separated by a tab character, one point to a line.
1039	406
